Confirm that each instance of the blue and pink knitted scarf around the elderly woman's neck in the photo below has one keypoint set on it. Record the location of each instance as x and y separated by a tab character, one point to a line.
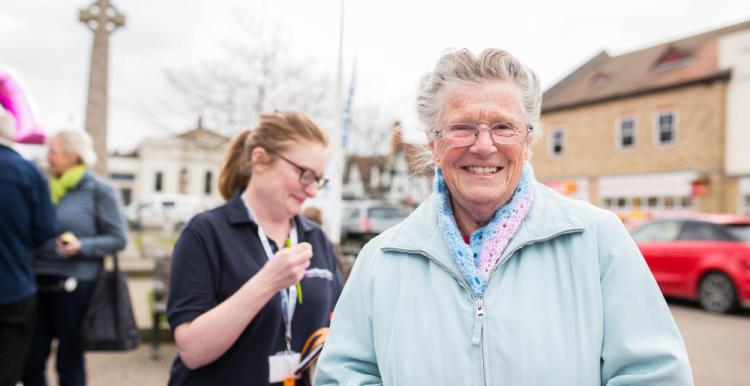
476	261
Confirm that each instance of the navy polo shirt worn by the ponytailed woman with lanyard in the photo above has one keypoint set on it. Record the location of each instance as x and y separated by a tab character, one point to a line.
217	252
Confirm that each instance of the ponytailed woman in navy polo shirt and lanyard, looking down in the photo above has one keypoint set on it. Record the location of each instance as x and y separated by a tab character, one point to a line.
252	280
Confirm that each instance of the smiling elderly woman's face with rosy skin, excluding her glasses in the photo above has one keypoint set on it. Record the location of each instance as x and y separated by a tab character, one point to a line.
481	177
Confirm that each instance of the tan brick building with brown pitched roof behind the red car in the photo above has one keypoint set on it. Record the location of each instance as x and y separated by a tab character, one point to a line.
661	129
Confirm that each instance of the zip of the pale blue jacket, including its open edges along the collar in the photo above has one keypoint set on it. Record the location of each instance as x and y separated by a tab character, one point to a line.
476	337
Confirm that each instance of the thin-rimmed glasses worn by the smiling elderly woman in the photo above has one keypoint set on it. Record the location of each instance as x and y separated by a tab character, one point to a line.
502	133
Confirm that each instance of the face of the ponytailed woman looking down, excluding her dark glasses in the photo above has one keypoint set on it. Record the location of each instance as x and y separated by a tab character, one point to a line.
280	179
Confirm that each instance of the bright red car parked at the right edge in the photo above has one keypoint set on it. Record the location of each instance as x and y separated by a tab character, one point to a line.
705	258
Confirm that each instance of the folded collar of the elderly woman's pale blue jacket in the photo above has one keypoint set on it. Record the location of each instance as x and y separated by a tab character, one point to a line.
550	216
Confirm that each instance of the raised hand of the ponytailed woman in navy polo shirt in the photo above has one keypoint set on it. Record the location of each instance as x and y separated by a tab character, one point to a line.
287	266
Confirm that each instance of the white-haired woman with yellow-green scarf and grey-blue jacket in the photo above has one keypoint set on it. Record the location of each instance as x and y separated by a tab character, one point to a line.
67	267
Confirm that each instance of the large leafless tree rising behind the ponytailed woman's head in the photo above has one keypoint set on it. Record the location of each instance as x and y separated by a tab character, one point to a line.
258	72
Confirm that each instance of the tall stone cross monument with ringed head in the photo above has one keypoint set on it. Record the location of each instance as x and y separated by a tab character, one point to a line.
102	18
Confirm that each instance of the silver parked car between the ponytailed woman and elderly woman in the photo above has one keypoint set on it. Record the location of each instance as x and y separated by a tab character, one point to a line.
364	219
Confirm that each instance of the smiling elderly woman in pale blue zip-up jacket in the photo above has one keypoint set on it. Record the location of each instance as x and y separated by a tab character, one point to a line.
496	279
